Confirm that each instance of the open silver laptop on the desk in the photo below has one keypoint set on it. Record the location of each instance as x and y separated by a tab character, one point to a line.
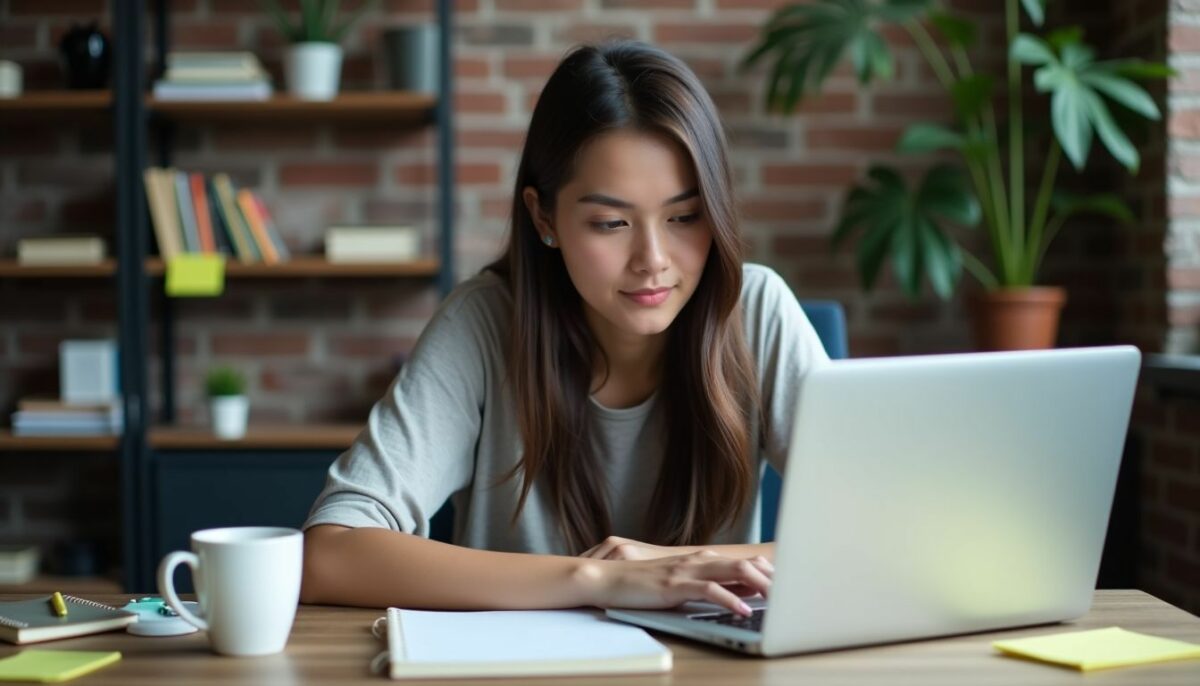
935	496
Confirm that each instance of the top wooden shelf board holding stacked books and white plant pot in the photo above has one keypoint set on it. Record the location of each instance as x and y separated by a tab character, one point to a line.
383	107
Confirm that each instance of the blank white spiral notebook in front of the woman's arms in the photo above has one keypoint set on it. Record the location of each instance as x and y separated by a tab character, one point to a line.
517	643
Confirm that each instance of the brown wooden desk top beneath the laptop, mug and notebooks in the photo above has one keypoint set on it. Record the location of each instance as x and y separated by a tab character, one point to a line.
333	646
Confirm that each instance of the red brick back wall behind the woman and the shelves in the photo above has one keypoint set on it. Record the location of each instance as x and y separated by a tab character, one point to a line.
323	350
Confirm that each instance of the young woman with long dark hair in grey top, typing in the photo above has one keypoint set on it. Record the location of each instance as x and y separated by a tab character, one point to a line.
597	402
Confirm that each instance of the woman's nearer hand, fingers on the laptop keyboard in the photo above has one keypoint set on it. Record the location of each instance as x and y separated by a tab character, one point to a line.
669	582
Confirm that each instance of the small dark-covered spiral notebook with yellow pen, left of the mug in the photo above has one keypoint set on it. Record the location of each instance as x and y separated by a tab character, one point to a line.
34	621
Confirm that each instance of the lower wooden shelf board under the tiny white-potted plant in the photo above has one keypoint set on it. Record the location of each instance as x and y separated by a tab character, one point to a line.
280	437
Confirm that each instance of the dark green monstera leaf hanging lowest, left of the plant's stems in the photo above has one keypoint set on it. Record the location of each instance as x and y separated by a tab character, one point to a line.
908	225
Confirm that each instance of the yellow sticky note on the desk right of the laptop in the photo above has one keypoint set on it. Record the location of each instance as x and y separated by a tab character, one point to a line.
1099	649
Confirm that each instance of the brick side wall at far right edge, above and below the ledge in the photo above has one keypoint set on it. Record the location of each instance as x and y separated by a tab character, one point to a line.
1167	256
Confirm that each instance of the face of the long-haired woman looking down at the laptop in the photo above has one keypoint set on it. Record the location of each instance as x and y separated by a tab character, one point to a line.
632	232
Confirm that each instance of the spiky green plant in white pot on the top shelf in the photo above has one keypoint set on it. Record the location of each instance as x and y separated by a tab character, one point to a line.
313	63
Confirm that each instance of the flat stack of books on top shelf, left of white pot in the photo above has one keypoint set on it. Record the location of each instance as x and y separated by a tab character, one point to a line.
213	77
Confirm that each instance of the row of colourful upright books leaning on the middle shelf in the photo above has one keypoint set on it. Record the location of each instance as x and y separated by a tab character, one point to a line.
194	214
